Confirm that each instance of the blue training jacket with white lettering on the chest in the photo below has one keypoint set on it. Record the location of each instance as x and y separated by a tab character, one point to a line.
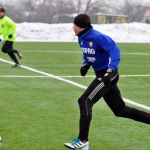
99	50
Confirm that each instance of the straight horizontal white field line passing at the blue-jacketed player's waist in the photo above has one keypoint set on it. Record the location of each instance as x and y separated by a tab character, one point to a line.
88	76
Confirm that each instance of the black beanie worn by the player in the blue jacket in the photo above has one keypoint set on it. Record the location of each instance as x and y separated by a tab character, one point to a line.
82	21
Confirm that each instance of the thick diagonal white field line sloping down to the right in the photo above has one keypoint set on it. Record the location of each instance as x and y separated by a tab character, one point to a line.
71	82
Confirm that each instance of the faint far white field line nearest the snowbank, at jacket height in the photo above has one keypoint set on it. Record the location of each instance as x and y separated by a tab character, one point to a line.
77	52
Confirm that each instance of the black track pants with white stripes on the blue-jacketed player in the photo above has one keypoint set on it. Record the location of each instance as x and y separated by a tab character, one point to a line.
112	96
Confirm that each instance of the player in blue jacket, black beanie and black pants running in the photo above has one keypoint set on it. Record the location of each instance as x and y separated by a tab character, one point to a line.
102	53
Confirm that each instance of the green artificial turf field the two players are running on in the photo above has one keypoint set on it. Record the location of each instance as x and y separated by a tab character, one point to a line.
42	113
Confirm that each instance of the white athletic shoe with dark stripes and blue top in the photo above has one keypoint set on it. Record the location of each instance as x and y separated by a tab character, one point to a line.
77	145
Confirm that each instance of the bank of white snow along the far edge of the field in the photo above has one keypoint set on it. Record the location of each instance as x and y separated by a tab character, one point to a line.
132	32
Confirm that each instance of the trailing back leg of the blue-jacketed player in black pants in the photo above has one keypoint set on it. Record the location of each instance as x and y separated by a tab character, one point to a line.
115	102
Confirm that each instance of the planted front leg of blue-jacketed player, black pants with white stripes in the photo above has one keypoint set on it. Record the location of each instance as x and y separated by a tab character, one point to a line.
93	93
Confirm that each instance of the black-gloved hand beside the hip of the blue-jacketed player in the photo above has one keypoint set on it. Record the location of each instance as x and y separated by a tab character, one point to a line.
109	76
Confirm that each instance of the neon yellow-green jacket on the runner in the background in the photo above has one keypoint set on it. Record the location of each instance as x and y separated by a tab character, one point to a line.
7	27
